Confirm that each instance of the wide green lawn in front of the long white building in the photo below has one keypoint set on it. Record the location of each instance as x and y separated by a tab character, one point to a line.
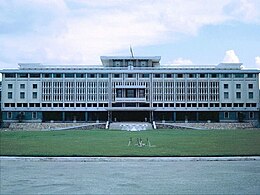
115	143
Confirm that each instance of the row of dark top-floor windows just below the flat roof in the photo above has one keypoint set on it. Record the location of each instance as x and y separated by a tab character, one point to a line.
106	75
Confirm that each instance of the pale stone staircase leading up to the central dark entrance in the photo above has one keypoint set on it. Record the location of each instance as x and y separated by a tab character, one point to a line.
131	126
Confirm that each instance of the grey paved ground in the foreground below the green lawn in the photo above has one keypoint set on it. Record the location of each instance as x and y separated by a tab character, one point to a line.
129	177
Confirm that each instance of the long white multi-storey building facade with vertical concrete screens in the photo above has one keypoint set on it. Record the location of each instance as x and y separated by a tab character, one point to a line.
130	89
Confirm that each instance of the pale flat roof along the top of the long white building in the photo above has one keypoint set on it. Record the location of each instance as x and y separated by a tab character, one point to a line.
220	68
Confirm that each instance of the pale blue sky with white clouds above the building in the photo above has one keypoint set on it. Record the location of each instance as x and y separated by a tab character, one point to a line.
80	31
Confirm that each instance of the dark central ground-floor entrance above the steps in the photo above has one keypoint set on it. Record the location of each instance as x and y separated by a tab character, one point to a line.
140	116
